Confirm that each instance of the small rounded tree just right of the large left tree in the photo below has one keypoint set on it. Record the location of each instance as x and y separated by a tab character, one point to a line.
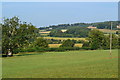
41	42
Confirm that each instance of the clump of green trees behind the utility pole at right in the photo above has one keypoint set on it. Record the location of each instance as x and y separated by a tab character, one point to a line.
97	40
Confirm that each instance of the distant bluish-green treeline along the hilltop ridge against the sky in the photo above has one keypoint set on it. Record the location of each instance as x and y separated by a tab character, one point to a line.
99	25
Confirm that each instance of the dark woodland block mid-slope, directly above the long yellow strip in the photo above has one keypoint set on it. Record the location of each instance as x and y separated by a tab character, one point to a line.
71	32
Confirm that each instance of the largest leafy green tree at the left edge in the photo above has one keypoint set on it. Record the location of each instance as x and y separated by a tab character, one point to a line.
16	35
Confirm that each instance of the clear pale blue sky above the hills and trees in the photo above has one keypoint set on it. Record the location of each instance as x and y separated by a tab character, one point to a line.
52	13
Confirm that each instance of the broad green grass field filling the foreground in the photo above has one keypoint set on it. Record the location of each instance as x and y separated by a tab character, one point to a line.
69	64
